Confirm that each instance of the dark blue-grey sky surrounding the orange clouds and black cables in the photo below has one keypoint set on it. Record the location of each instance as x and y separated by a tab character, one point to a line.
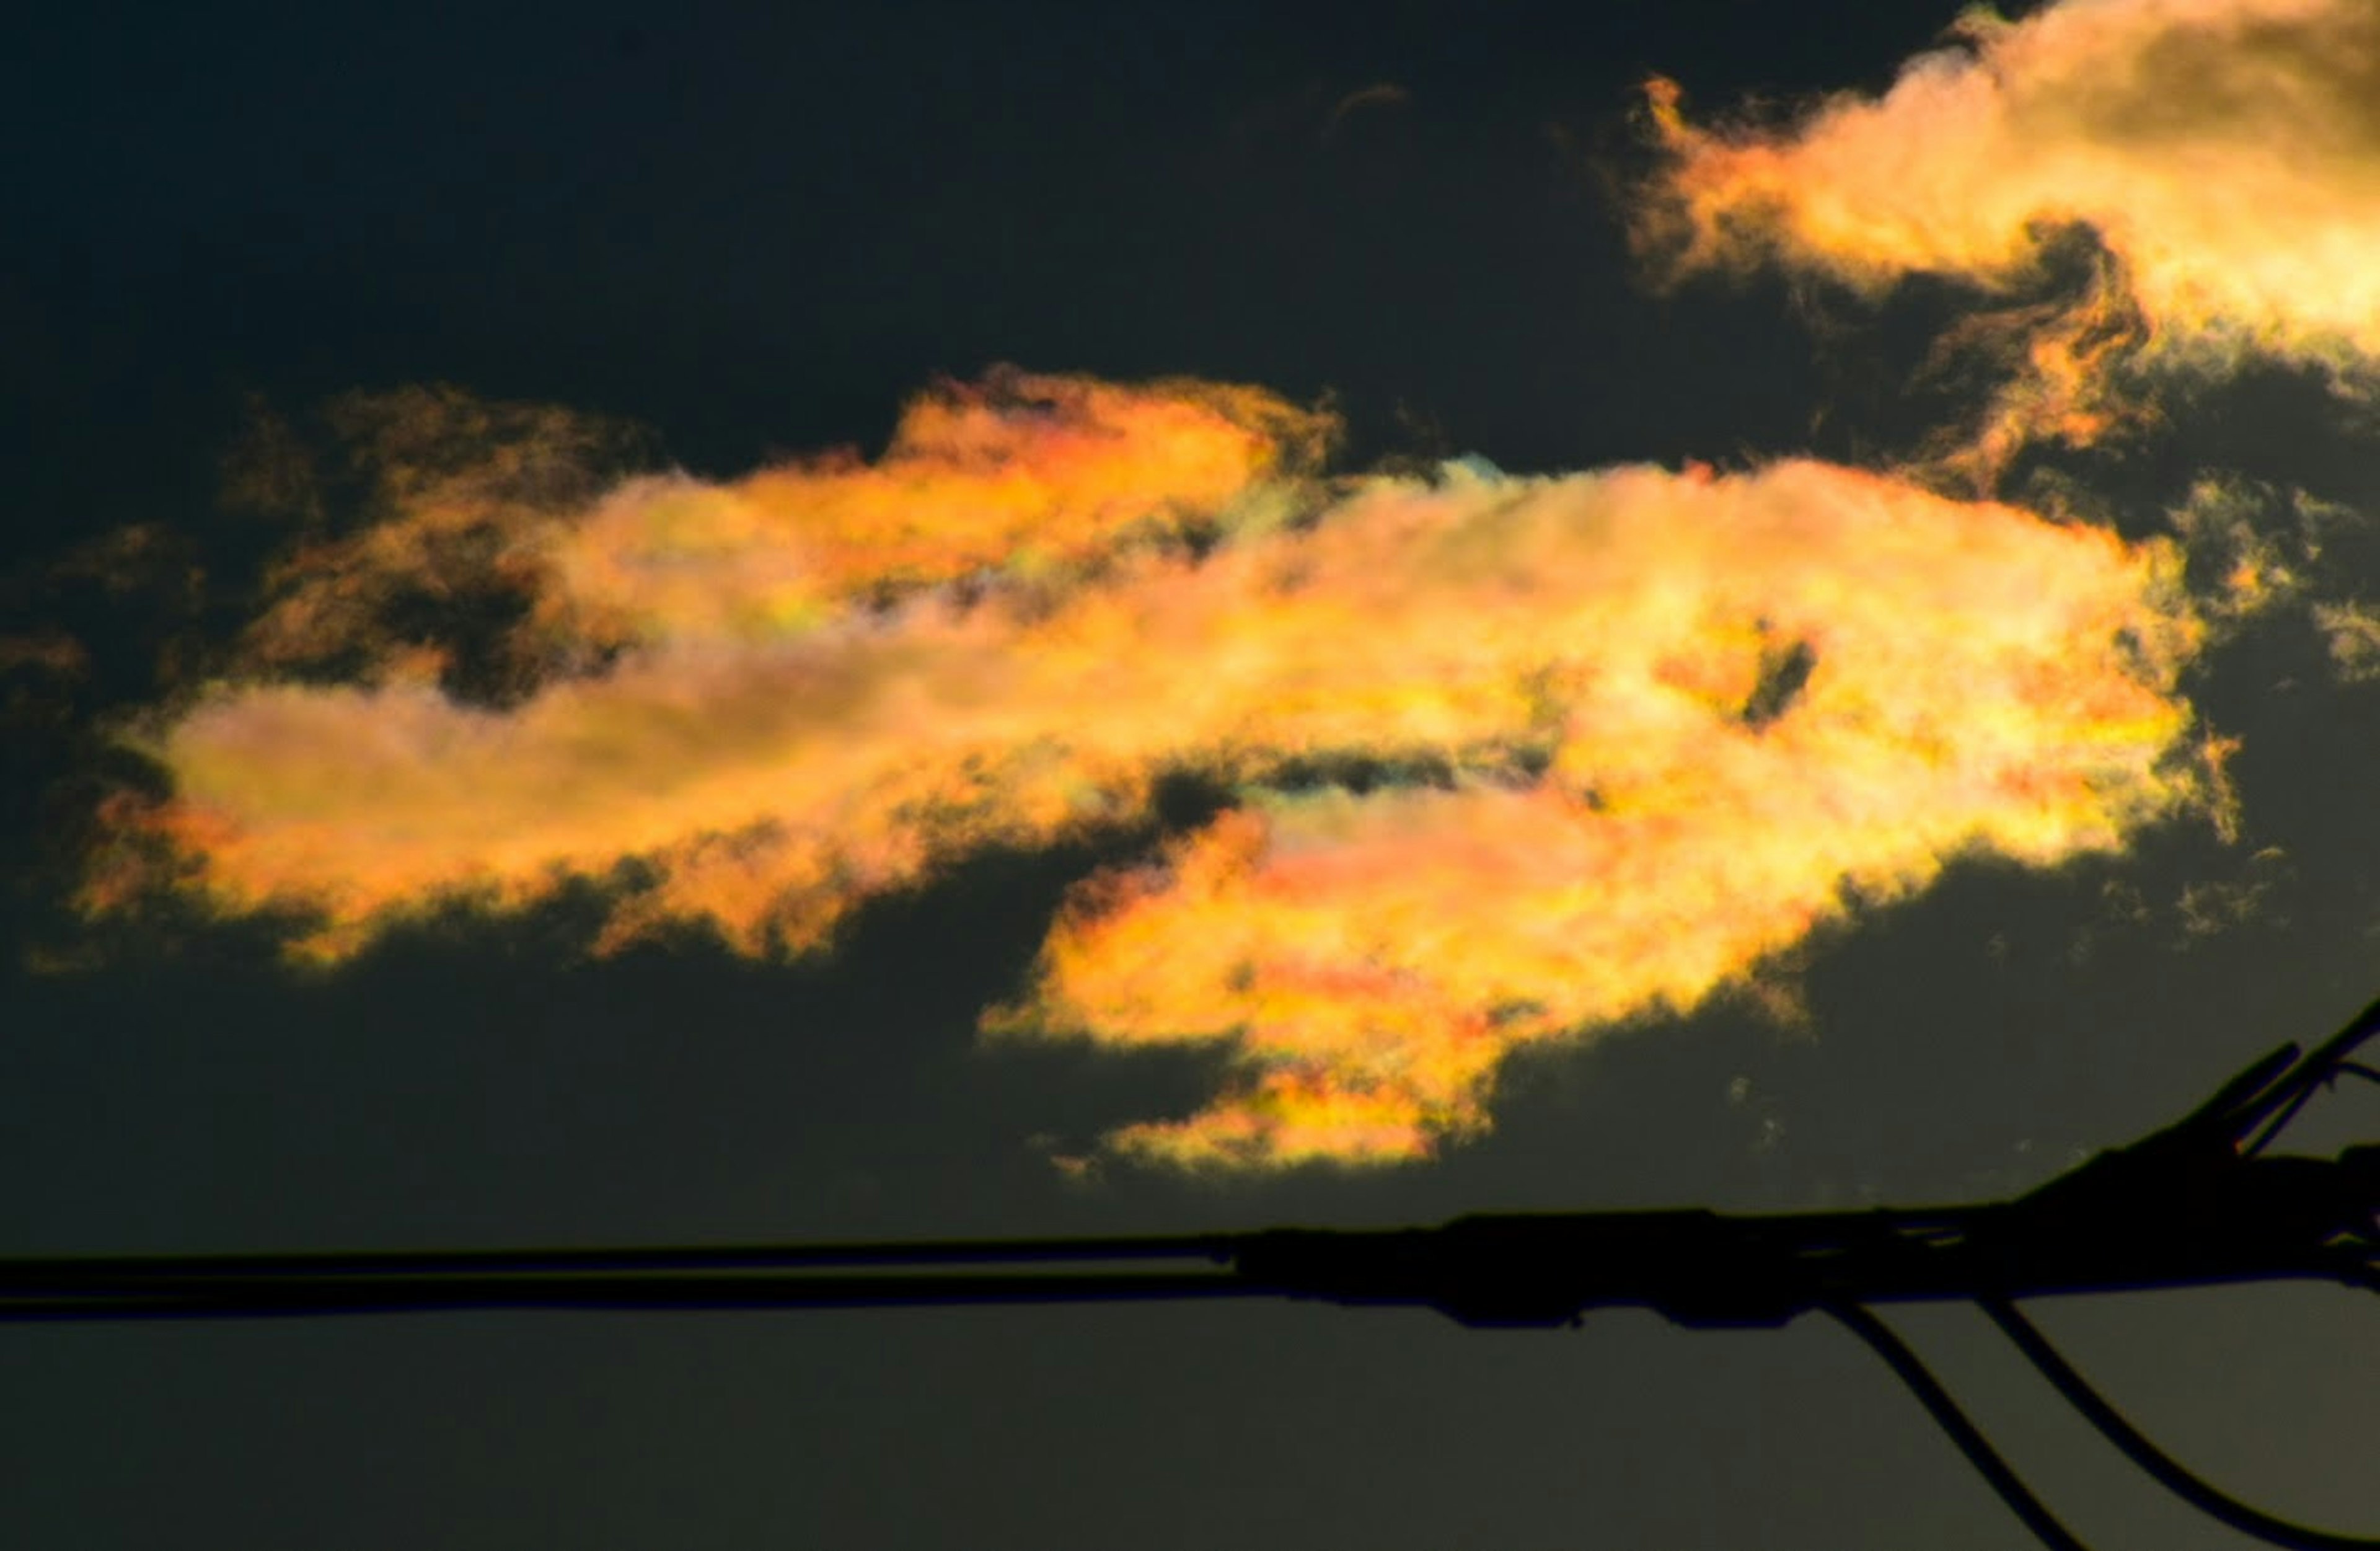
760	230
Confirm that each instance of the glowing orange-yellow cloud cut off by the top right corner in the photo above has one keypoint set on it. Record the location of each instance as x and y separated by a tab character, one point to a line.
2226	153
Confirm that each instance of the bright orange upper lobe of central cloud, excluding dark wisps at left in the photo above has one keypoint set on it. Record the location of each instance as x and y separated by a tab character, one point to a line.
1025	475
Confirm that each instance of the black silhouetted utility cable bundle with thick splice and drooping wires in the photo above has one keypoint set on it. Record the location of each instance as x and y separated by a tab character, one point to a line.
2191	1205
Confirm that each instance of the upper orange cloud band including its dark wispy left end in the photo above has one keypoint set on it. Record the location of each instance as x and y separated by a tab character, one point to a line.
1020	475
